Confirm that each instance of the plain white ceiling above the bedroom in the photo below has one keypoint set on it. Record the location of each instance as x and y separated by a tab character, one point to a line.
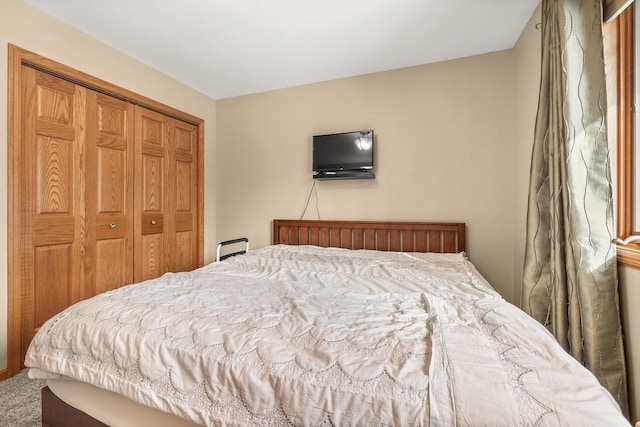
226	48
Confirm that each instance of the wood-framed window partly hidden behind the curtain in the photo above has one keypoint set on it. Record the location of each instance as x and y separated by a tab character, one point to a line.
620	39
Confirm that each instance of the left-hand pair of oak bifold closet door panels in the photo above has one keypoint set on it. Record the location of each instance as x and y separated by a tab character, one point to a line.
77	196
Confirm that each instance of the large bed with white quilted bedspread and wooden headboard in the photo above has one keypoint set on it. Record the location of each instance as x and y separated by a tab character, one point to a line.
336	323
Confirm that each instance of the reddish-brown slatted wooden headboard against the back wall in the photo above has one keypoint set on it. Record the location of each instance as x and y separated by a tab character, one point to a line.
443	237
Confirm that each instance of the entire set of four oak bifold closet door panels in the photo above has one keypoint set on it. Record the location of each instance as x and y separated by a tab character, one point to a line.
104	193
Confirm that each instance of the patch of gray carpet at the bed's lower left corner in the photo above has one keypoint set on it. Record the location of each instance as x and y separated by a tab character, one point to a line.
20	401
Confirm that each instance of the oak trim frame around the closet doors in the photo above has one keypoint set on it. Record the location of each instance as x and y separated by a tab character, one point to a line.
19	58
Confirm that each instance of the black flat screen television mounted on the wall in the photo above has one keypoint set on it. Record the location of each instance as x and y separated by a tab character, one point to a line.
343	155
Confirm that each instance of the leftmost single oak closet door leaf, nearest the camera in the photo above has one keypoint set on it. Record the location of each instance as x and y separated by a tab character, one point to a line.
50	181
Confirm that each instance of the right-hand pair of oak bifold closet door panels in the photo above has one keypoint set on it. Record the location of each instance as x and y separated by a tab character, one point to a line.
166	220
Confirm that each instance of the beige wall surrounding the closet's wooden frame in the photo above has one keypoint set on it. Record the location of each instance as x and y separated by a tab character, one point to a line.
30	29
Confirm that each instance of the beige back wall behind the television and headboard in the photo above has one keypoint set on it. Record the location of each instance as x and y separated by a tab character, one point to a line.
444	152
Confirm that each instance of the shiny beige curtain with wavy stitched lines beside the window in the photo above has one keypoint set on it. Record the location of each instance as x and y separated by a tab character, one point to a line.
570	278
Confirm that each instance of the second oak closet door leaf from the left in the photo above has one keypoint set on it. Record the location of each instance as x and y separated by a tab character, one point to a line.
110	196
